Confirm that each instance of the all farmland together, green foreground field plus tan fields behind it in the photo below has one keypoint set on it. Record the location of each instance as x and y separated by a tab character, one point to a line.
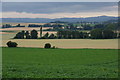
73	58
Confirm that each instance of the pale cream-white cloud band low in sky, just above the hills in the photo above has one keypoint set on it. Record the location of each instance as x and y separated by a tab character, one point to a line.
56	15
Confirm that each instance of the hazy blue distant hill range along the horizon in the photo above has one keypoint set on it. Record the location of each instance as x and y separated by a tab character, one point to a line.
47	20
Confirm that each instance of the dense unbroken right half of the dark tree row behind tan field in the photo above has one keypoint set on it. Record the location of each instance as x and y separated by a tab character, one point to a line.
93	34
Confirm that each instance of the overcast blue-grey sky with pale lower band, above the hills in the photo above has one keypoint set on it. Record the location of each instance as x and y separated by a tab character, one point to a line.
58	9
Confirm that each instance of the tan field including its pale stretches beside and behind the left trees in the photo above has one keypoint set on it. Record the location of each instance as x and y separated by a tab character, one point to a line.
60	43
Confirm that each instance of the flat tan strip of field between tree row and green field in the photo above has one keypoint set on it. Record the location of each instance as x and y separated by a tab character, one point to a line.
67	43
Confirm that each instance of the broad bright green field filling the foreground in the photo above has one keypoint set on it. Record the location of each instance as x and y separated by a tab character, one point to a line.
59	63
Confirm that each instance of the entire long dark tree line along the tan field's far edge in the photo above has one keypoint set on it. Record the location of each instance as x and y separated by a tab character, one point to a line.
69	34
